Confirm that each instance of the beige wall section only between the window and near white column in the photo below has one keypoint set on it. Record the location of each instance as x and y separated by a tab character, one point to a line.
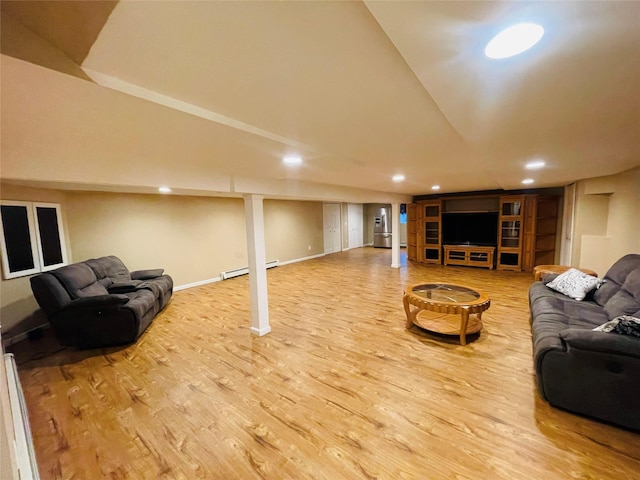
192	238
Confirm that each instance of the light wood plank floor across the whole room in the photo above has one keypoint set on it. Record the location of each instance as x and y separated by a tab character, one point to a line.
338	390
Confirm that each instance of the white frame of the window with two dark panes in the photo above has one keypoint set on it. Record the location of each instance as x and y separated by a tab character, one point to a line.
35	236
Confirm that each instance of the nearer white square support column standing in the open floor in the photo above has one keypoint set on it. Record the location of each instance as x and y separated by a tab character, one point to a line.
254	214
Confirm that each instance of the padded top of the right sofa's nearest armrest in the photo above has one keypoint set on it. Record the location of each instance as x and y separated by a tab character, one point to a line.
582	339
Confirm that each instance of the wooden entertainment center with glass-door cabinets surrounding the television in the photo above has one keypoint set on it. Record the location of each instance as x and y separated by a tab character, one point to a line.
526	230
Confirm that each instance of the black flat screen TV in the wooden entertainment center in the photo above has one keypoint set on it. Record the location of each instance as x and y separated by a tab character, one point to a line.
477	228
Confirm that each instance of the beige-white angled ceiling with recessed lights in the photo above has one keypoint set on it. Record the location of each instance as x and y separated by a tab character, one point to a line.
208	96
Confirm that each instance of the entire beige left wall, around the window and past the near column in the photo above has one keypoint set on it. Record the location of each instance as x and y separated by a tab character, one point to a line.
192	238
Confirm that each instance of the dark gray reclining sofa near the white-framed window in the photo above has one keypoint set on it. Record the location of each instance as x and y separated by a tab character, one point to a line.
99	303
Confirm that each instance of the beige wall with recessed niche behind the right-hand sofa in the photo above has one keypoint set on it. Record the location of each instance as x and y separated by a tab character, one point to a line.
607	220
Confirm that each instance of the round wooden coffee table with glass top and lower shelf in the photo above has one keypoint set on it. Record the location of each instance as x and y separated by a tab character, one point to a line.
449	300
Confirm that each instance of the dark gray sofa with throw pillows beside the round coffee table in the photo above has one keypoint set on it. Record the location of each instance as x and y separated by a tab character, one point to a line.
592	373
